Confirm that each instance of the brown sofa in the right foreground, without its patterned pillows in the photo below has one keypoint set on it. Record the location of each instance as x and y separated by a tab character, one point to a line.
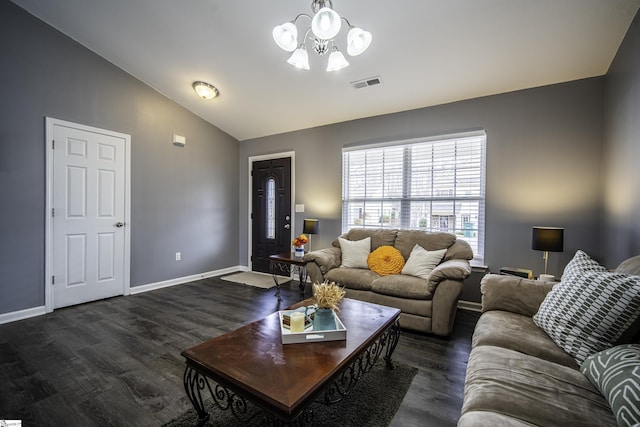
517	375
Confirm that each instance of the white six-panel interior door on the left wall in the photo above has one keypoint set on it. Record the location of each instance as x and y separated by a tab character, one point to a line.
88	188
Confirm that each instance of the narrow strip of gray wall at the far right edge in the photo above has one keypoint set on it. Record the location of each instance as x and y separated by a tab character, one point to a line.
622	150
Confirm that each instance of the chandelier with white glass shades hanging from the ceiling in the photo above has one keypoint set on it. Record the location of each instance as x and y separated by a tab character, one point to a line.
325	26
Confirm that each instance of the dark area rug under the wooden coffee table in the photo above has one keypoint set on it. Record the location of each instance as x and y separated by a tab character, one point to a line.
372	403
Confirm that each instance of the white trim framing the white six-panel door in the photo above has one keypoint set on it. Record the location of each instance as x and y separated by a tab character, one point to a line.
48	235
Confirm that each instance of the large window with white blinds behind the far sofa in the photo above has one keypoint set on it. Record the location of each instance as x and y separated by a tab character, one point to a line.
433	184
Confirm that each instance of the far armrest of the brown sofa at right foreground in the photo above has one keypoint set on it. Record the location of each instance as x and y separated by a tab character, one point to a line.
514	294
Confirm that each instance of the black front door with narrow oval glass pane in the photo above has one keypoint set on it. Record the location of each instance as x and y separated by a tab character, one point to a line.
271	210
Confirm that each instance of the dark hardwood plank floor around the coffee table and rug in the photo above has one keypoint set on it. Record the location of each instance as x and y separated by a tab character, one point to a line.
117	362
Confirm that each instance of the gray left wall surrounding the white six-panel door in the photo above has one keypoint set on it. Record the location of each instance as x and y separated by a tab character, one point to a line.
183	199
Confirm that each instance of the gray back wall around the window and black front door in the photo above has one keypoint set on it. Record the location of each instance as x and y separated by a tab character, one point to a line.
544	148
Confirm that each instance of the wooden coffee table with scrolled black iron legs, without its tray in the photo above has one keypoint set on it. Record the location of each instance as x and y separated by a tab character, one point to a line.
257	377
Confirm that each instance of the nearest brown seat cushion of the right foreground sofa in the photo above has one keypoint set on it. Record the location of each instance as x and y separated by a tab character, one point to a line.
532	390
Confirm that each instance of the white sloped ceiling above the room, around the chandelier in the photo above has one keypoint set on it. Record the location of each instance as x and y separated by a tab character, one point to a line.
426	52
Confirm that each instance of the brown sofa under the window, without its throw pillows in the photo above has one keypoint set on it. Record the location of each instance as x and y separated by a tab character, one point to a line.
426	305
